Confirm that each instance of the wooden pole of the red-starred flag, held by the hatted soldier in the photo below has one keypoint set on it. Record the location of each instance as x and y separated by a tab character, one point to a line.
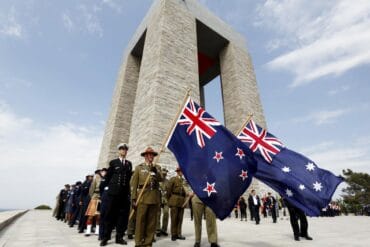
174	121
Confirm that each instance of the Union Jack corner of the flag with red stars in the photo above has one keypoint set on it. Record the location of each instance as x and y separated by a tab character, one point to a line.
199	122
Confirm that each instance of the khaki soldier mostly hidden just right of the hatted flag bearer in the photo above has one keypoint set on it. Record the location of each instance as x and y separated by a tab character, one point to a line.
164	210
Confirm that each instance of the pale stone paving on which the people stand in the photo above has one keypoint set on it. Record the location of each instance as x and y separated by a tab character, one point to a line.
38	228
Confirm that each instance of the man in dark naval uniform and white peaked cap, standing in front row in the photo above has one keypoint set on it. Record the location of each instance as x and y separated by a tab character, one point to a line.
117	196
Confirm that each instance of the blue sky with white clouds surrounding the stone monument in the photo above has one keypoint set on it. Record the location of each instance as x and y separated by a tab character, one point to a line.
59	62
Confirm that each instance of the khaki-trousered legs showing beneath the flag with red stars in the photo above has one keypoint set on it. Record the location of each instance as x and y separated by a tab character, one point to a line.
198	209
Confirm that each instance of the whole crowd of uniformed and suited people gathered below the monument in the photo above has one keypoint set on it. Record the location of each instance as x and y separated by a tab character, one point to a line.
141	203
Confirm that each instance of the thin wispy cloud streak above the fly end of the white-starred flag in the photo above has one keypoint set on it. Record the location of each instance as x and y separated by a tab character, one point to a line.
323	116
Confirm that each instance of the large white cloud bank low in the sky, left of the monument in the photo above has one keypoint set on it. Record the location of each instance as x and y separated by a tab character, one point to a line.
36	160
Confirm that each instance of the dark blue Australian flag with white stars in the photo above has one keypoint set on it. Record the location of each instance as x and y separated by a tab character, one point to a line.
297	178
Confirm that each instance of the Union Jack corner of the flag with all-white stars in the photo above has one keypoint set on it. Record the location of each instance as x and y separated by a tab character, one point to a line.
260	141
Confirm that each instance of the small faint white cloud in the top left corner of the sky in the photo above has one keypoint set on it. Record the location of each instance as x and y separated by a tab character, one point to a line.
10	26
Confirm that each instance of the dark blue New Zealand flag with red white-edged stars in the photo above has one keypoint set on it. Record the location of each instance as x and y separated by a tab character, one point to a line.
217	166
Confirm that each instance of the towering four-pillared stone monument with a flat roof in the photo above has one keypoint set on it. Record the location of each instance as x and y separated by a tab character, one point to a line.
179	45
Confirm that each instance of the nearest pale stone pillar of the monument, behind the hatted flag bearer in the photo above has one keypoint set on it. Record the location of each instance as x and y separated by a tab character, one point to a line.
169	66
